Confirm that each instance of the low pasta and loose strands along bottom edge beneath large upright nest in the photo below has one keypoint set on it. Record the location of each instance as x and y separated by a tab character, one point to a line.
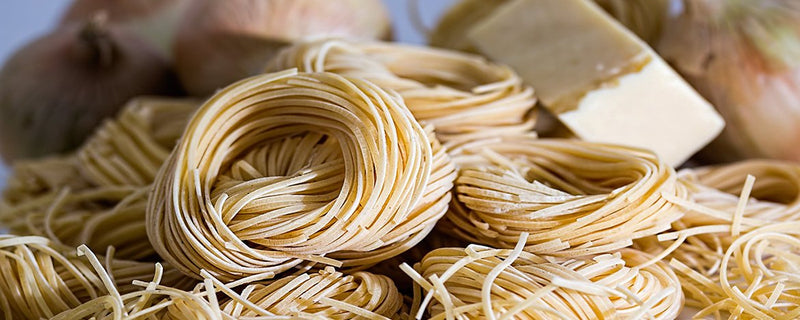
326	294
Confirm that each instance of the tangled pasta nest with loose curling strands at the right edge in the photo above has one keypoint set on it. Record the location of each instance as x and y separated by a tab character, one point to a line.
737	256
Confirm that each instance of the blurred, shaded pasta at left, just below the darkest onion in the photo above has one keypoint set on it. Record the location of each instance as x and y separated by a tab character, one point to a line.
98	195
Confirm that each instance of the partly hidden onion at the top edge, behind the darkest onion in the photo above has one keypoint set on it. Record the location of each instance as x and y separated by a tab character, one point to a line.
153	20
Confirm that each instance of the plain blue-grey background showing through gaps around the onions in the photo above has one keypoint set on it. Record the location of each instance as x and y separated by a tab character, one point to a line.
23	20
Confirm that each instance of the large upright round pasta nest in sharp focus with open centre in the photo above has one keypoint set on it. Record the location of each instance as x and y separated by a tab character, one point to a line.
285	169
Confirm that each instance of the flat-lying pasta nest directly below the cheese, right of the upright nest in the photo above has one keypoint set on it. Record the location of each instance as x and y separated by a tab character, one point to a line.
573	198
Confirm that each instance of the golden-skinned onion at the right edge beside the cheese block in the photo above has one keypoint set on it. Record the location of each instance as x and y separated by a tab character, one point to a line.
744	56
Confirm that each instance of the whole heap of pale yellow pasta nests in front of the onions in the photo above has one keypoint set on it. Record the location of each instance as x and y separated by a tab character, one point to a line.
384	181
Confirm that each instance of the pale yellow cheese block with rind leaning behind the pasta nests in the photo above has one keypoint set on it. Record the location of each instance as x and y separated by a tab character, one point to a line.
601	81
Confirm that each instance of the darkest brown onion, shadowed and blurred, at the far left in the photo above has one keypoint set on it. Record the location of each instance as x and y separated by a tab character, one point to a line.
57	89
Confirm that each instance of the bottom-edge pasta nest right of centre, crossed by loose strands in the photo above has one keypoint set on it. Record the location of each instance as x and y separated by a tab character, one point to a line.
485	283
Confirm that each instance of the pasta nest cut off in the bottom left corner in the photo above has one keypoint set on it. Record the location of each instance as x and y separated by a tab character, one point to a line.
39	280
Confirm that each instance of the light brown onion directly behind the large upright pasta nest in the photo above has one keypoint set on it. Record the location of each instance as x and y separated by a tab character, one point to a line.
219	42
